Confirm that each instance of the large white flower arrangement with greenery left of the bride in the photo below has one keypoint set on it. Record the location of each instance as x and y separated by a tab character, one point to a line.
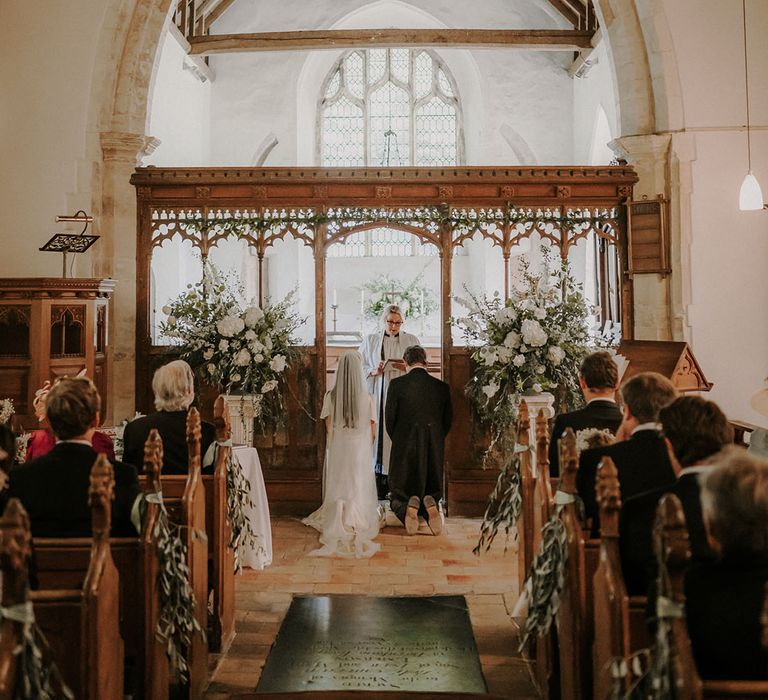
242	350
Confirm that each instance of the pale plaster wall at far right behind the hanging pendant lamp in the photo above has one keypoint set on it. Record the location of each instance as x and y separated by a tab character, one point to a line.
729	248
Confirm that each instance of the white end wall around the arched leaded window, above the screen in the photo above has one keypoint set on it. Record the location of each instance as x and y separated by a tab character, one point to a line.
527	93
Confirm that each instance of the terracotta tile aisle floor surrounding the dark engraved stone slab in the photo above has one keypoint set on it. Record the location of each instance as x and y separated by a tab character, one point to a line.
418	565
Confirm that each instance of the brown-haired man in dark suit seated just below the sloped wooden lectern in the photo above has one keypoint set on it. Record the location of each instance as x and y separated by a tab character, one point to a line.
641	460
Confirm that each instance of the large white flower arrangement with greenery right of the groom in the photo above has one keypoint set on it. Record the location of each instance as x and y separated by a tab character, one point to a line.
530	343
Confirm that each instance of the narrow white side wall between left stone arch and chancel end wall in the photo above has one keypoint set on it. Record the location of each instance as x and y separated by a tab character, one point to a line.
180	111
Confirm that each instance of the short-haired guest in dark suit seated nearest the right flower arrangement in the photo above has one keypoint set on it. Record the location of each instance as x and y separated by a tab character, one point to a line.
598	379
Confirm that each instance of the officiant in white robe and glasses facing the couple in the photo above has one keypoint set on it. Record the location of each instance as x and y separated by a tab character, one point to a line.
377	348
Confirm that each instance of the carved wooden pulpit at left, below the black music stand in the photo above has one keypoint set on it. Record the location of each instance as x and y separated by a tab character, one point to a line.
51	327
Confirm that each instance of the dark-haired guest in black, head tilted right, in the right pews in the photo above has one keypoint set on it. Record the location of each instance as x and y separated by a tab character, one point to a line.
694	430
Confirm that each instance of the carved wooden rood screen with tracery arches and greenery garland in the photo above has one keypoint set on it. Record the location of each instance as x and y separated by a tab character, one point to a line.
319	207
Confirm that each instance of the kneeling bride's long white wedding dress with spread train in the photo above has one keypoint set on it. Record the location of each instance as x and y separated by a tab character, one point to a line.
348	520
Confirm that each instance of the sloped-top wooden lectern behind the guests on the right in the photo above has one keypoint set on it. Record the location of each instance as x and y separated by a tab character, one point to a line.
673	359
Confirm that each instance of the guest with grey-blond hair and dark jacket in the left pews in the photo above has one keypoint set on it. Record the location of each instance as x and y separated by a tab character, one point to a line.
174	389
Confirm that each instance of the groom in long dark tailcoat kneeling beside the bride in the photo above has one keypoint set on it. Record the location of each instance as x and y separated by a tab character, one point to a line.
418	417
